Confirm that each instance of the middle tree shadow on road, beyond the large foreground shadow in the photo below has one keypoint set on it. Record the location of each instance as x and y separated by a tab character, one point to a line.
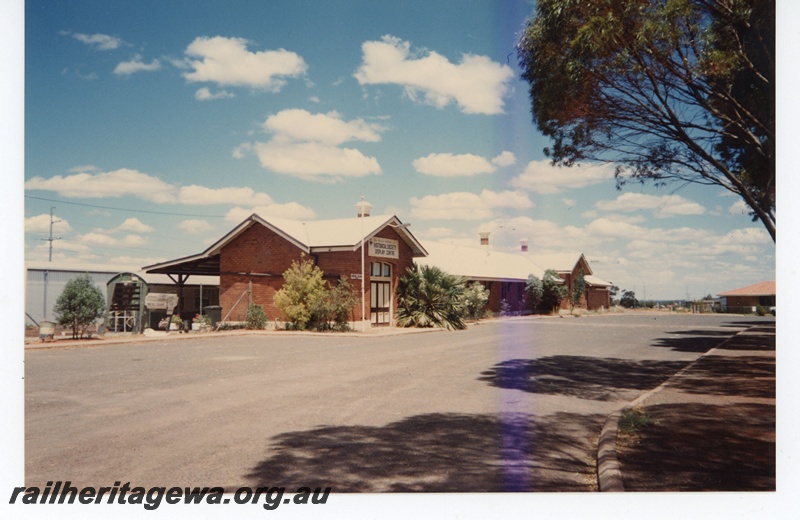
580	376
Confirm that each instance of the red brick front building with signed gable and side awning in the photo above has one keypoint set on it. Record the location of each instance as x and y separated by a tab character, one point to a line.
250	261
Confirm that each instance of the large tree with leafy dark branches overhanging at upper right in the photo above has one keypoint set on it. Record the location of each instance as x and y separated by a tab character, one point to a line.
668	90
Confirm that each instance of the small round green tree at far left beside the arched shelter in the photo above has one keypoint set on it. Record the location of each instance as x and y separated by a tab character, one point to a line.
80	304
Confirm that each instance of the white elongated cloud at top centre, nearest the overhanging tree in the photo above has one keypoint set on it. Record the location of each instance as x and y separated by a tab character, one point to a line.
477	84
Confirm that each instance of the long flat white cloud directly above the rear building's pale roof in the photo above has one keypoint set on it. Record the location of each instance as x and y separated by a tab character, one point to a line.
467	206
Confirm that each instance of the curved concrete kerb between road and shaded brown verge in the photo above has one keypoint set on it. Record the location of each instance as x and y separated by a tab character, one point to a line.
609	475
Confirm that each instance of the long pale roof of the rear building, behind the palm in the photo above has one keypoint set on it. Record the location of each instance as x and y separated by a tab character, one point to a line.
479	263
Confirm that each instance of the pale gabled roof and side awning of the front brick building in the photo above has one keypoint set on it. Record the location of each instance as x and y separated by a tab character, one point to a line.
310	236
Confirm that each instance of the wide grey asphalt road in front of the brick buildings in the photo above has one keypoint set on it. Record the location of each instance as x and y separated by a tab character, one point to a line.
507	405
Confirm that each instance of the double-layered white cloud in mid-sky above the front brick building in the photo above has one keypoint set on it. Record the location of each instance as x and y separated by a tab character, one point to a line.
306	146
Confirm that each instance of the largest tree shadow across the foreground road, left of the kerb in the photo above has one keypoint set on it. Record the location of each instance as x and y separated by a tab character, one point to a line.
442	452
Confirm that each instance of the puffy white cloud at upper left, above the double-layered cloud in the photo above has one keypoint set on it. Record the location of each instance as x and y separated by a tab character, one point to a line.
226	61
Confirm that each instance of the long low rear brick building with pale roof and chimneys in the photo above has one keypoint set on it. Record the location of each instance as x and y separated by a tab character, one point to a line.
505	274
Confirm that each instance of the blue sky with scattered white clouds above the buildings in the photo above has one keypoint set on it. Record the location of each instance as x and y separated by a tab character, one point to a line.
153	128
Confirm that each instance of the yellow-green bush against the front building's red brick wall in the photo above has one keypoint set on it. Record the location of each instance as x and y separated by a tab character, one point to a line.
302	289
